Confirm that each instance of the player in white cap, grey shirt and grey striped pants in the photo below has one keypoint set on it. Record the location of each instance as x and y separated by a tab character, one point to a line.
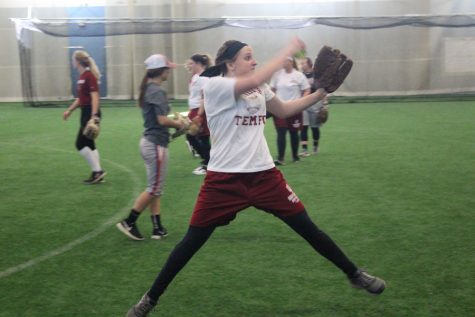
153	102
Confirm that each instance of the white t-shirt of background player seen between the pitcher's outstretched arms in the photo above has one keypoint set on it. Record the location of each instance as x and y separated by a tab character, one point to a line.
289	86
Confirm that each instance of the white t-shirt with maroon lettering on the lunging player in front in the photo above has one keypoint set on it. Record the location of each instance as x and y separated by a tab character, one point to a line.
236	127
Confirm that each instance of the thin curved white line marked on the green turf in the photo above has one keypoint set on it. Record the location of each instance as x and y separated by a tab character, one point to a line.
69	246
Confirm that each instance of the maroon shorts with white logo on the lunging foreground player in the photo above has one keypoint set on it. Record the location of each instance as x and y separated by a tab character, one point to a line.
223	195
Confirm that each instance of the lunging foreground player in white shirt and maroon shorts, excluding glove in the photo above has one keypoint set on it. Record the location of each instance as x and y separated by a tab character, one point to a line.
241	172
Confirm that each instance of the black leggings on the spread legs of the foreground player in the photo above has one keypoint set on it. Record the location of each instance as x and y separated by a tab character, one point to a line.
196	237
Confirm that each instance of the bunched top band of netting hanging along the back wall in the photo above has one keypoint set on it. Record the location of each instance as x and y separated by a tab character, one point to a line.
87	27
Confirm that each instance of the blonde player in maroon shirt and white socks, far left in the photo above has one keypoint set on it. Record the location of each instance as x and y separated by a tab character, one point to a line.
88	102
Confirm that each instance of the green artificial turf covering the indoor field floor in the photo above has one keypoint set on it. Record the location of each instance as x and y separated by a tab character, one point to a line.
393	185
